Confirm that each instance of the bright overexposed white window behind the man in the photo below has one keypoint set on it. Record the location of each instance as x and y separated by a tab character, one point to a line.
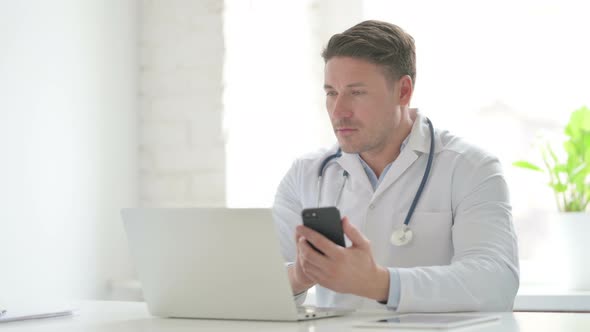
499	73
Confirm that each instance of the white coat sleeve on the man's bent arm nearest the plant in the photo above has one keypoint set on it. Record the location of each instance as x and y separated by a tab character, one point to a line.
483	274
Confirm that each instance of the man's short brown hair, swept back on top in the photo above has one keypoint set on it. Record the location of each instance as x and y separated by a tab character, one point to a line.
378	42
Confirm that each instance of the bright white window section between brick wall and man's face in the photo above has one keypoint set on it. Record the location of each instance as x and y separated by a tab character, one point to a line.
274	98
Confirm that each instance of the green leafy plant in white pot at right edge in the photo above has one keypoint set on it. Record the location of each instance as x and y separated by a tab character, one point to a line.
569	177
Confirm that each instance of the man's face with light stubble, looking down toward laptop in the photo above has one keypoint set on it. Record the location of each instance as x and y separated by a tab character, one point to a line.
364	107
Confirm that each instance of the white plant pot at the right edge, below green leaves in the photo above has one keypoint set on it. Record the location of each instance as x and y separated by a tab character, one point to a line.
573	229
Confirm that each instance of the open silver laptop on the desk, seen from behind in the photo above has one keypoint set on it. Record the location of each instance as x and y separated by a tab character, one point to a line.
213	263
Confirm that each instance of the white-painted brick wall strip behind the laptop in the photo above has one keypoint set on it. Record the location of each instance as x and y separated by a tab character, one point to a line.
182	150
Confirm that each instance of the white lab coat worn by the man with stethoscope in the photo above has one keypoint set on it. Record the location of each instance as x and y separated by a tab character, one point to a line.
463	256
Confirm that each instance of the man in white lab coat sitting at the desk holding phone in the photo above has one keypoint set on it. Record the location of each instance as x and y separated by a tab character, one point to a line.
458	251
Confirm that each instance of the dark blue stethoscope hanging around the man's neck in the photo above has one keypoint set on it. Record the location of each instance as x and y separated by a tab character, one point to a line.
402	235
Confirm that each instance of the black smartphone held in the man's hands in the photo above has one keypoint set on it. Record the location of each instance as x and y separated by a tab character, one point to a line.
326	221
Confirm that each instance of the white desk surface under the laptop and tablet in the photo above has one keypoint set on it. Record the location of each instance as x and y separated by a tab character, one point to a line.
133	316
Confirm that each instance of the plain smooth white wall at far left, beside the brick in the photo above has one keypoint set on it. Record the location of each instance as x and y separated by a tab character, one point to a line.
68	145
